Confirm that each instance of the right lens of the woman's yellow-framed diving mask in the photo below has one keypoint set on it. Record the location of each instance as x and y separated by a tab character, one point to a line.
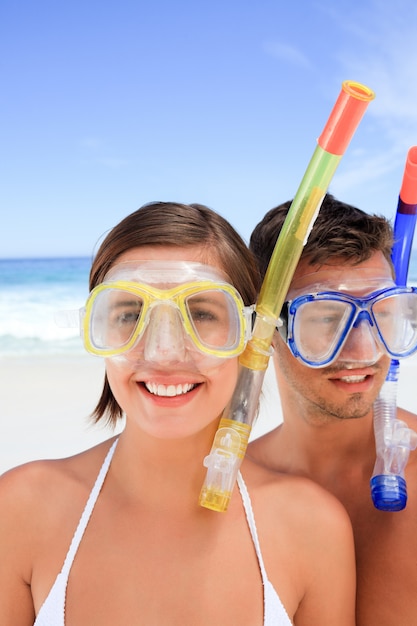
214	319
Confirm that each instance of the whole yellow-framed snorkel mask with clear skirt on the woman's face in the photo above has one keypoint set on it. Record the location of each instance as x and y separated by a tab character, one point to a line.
146	307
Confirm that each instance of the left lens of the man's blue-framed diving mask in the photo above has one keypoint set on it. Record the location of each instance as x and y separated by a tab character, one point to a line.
319	328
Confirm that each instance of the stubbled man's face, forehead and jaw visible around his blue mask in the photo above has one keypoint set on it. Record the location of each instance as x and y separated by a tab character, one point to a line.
348	387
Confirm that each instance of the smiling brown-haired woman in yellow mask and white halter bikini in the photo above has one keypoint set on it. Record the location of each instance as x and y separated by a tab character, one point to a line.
166	312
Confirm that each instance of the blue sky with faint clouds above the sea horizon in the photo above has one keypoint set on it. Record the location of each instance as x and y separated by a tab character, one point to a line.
108	105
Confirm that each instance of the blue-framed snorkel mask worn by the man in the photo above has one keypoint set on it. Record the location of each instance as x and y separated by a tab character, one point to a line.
318	326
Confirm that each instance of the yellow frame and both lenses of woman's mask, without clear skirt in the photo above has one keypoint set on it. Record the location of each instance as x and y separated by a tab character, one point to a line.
116	317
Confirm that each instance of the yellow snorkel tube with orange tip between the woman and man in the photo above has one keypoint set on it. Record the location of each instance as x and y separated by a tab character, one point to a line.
232	436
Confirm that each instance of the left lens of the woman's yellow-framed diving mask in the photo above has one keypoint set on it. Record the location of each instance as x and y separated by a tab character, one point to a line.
114	317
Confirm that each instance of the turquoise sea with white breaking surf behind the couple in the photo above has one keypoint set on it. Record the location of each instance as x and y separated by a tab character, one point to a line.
35	292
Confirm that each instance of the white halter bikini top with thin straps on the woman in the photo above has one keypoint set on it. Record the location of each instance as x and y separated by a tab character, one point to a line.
52	611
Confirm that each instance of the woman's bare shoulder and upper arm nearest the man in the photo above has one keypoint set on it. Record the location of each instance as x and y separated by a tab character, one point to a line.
305	534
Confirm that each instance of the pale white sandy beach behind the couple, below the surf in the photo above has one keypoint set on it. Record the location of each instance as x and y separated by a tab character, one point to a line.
45	403
